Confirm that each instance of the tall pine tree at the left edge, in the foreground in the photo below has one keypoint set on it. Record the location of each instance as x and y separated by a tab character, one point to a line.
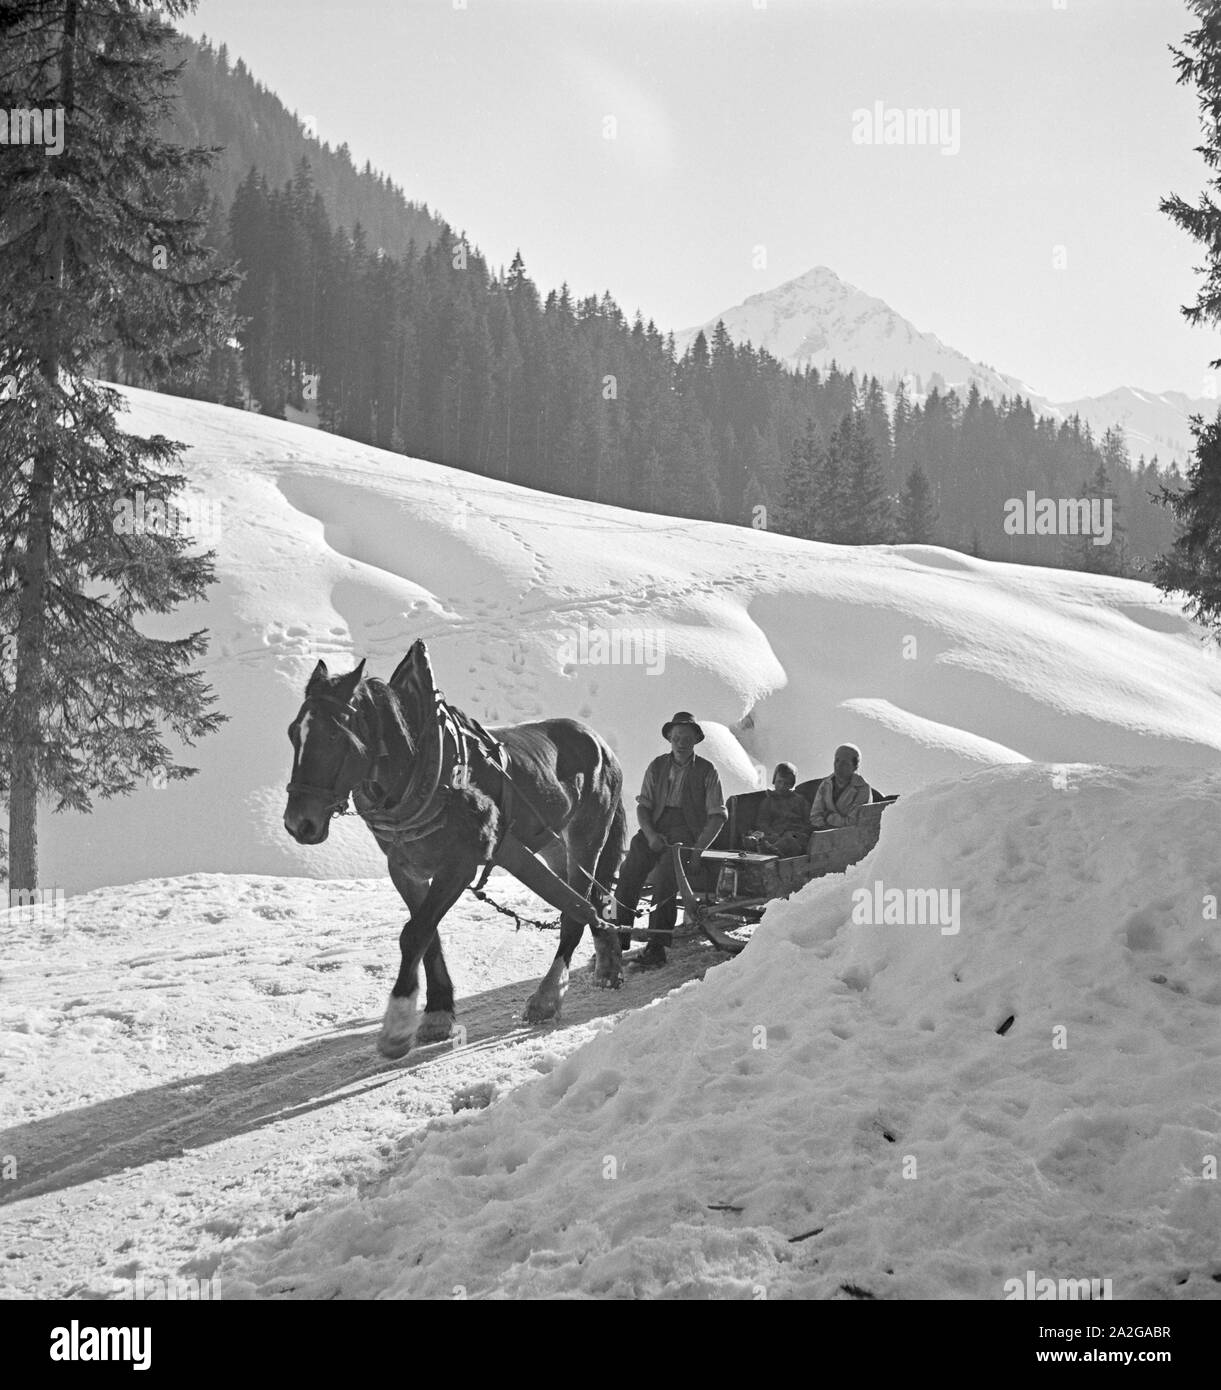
92	256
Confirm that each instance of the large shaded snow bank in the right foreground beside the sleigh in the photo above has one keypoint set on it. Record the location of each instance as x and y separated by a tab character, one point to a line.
839	1110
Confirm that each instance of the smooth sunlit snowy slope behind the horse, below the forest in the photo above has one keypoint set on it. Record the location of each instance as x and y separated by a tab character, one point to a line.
935	664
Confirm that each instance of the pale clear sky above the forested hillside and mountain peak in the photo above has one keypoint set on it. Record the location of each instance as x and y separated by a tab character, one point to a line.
689	154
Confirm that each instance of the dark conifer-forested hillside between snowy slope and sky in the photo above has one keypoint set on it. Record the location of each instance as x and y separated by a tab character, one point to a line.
373	313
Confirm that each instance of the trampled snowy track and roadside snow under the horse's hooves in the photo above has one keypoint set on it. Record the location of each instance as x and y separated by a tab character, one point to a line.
191	1061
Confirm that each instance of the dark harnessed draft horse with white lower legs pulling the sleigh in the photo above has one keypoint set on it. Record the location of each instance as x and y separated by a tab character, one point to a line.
442	794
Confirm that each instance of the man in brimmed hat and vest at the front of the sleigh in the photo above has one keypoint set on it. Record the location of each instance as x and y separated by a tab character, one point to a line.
681	804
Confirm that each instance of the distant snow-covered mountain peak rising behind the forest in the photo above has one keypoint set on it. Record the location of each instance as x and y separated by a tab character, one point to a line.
820	319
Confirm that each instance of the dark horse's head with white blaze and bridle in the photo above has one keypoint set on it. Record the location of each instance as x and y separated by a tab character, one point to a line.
332	754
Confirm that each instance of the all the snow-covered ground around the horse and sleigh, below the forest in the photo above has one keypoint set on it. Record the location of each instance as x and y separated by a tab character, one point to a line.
187	1065
